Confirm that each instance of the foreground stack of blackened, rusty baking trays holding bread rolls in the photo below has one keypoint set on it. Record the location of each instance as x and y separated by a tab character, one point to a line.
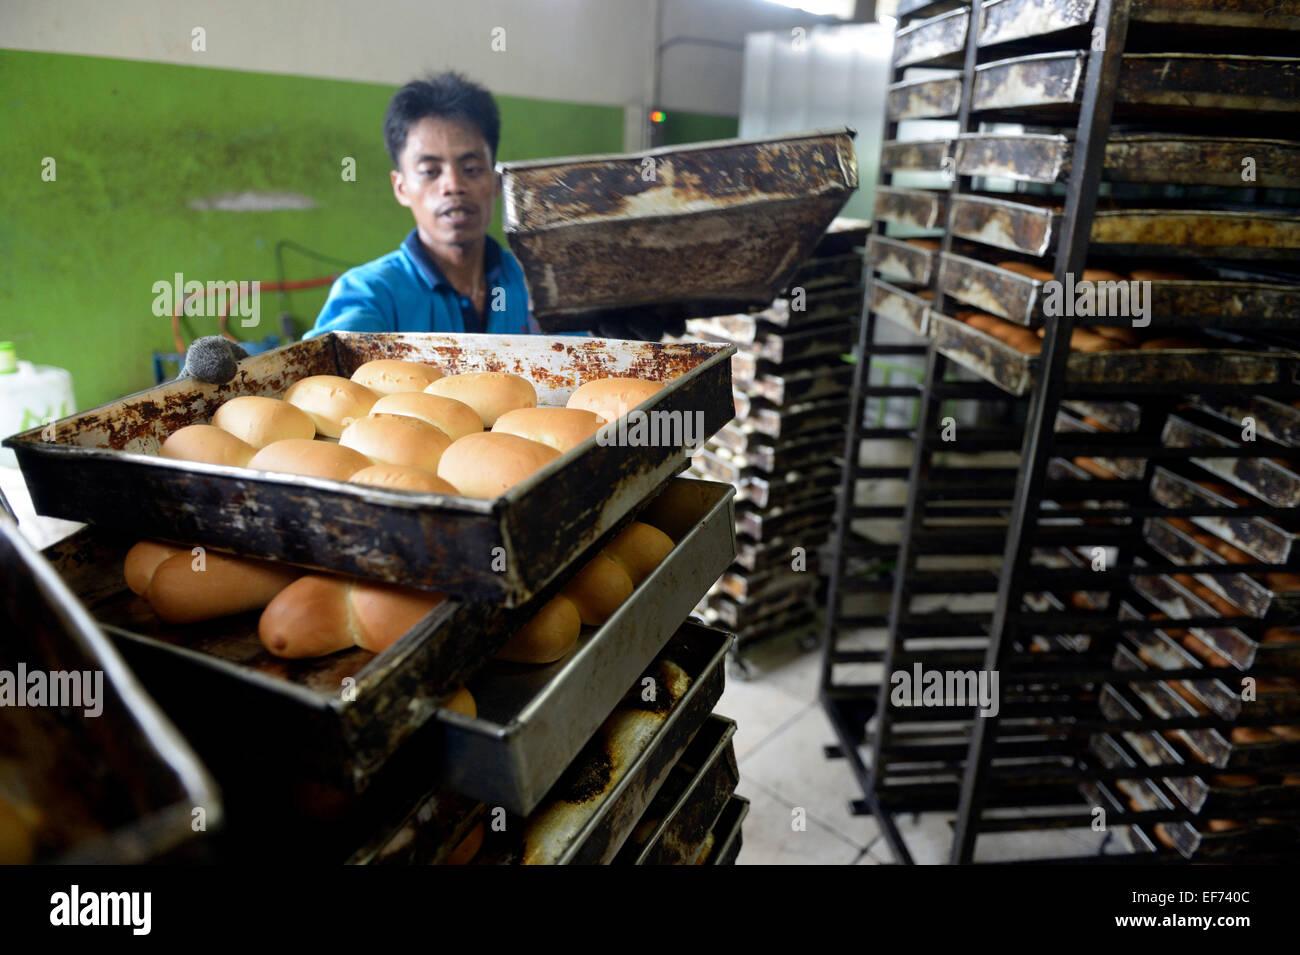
609	754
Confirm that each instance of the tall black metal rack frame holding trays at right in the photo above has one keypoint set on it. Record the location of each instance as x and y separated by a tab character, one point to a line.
1081	727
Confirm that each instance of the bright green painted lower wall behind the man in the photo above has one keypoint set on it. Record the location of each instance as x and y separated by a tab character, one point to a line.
137	142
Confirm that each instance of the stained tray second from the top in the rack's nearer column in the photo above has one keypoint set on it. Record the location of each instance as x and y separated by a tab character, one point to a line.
1151	85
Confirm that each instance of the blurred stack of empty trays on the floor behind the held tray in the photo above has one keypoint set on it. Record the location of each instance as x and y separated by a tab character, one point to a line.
783	452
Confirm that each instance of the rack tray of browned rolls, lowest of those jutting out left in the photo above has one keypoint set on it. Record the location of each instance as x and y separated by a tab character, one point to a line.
1011	357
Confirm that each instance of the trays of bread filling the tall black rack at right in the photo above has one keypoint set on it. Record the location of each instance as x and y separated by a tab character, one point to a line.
1149	147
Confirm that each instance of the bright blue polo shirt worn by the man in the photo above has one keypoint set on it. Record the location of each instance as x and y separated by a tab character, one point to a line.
406	292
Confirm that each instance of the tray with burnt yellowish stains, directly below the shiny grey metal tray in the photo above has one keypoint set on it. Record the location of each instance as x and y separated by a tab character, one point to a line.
593	809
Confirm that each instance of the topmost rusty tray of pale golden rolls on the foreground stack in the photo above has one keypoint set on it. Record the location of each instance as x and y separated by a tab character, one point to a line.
522	510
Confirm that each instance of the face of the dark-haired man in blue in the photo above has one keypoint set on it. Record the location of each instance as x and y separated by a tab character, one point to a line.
448	181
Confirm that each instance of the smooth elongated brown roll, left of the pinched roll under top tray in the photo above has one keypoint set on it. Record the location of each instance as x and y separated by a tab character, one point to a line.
181	594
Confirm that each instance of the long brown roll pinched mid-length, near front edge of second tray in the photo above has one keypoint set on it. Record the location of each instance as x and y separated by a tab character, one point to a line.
320	615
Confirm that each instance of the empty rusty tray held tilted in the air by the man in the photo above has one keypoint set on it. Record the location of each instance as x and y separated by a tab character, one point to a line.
700	228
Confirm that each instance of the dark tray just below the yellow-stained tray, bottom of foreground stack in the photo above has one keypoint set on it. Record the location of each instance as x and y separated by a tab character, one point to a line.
682	815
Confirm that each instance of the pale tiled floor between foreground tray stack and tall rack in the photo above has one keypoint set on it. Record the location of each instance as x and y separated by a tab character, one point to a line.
800	800
